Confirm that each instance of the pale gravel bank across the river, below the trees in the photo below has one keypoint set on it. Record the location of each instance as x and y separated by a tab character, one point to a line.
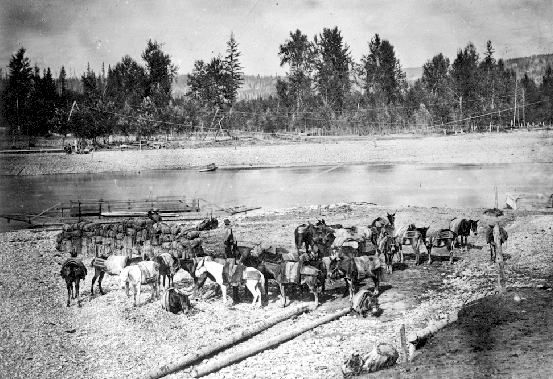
474	148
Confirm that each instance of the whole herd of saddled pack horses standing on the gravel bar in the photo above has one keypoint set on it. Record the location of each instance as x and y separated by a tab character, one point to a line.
318	258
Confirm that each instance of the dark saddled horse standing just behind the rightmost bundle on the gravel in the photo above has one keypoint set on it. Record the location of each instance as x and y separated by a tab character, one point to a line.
355	270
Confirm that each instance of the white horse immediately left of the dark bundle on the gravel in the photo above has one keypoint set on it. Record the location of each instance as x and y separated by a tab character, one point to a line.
146	272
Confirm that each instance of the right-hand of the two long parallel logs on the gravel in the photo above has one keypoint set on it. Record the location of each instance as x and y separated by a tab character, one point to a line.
238	356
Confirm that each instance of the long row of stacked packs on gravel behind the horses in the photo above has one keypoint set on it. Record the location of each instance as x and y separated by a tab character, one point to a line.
129	237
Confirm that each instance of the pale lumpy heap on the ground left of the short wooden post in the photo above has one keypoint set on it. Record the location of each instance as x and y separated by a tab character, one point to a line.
382	356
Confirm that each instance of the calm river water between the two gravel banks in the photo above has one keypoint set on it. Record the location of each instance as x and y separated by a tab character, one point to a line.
395	185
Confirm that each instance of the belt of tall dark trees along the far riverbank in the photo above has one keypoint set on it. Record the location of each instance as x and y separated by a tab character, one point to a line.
324	89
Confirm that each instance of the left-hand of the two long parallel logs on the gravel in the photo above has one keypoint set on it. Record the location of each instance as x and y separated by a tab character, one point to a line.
189	359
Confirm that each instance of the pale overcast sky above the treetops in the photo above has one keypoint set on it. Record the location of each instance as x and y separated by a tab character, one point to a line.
73	33
